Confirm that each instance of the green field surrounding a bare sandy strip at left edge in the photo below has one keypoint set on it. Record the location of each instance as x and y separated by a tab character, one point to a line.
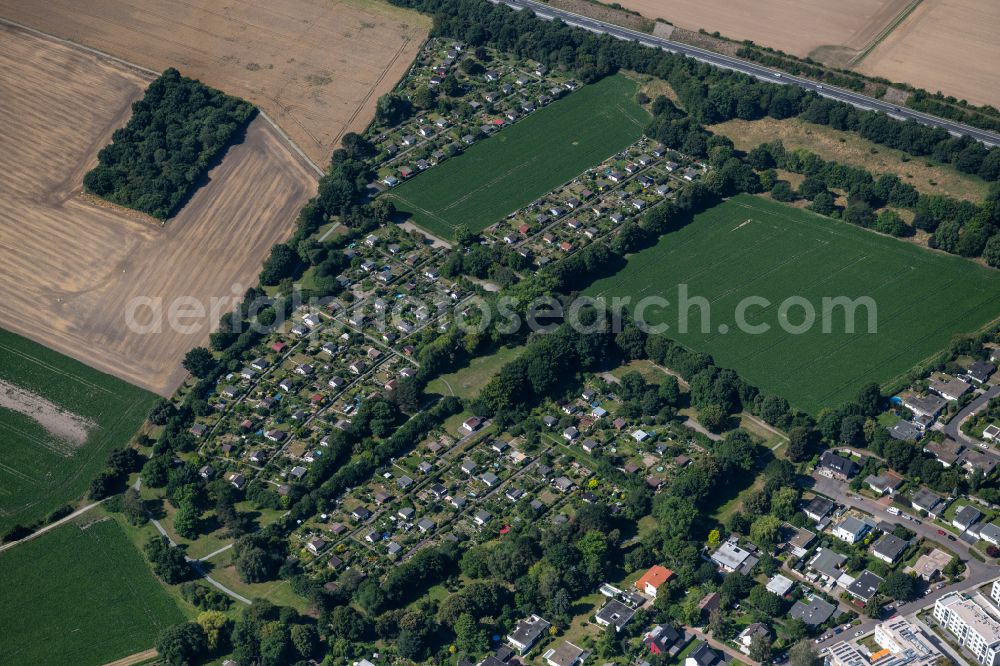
39	471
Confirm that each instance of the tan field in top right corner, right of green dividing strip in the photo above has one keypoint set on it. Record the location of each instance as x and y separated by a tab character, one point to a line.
947	45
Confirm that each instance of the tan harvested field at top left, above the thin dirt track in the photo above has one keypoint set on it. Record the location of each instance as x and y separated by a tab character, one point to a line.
316	67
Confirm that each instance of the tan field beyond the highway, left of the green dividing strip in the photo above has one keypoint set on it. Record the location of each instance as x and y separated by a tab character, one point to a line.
798	27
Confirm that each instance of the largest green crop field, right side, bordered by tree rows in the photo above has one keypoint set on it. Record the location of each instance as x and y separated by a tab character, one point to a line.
749	246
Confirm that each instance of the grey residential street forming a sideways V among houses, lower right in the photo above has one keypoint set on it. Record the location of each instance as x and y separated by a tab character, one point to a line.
977	572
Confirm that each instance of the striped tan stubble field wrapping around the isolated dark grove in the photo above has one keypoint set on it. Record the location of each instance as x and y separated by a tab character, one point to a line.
69	268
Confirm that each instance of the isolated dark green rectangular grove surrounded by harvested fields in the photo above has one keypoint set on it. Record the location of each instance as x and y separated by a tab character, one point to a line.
177	131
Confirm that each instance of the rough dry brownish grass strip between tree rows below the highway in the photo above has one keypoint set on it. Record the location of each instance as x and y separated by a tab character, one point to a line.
849	148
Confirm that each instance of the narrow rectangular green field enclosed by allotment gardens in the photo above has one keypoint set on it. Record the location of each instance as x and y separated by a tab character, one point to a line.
514	167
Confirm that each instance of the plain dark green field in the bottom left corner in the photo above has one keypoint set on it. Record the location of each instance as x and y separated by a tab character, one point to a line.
79	596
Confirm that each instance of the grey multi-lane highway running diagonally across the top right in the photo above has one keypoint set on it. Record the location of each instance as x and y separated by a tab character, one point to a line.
858	100
